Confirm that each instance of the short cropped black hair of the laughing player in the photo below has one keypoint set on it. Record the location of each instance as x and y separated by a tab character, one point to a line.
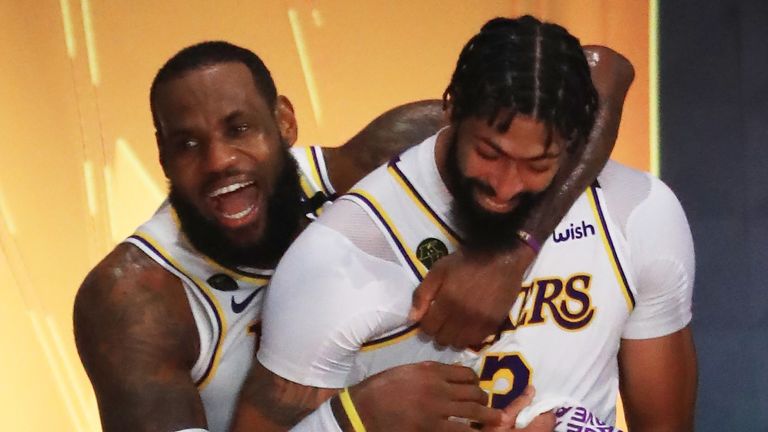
211	53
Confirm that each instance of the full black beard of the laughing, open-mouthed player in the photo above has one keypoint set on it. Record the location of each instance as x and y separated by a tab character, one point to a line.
284	214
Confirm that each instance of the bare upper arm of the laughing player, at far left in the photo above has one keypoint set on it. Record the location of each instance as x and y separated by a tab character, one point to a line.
137	340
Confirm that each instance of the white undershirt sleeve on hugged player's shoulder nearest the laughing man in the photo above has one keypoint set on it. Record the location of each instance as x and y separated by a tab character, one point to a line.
327	298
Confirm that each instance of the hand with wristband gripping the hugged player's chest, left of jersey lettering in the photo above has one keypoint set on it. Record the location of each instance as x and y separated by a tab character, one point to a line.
466	296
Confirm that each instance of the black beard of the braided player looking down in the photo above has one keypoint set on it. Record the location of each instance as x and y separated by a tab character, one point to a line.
481	229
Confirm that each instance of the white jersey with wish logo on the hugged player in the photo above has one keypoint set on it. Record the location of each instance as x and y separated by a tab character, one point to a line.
563	332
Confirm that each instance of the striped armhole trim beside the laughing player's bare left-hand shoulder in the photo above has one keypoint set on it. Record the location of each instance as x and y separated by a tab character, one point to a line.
200	303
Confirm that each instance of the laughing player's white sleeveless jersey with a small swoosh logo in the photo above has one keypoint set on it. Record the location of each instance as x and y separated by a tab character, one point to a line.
225	303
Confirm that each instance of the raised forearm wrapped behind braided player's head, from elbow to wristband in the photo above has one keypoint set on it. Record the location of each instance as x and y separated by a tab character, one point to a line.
611	74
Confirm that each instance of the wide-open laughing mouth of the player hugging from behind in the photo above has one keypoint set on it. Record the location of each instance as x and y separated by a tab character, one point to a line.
236	204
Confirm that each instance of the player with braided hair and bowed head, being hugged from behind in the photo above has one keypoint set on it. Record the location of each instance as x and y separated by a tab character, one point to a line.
606	303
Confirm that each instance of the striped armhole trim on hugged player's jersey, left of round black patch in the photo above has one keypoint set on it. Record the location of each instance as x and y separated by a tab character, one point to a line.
404	254
